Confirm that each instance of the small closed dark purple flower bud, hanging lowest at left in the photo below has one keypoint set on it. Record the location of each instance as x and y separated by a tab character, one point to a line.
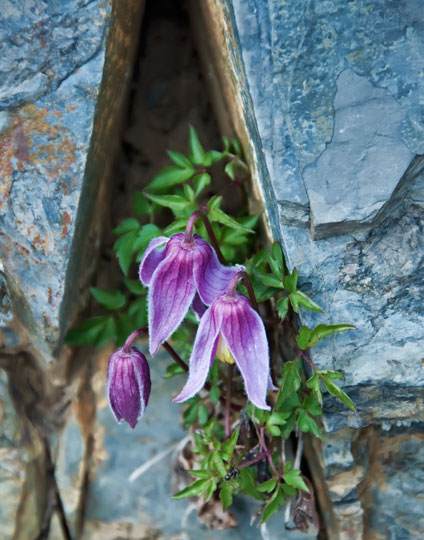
128	382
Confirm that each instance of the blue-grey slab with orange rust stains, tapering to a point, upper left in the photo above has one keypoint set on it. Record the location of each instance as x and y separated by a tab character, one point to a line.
60	99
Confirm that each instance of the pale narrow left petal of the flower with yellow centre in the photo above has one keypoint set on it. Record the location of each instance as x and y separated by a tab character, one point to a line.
202	355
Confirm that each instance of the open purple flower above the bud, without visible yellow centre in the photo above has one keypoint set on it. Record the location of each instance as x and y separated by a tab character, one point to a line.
175	269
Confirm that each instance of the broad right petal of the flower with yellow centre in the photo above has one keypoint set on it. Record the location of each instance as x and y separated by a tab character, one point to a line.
244	332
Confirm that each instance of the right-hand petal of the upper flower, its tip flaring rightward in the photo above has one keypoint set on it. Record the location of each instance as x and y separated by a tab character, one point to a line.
213	278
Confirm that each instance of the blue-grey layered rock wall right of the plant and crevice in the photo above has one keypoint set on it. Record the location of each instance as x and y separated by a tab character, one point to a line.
326	98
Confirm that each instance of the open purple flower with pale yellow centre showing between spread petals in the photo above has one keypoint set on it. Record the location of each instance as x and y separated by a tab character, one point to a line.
233	331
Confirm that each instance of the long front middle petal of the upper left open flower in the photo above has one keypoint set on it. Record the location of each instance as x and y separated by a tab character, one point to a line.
170	295
